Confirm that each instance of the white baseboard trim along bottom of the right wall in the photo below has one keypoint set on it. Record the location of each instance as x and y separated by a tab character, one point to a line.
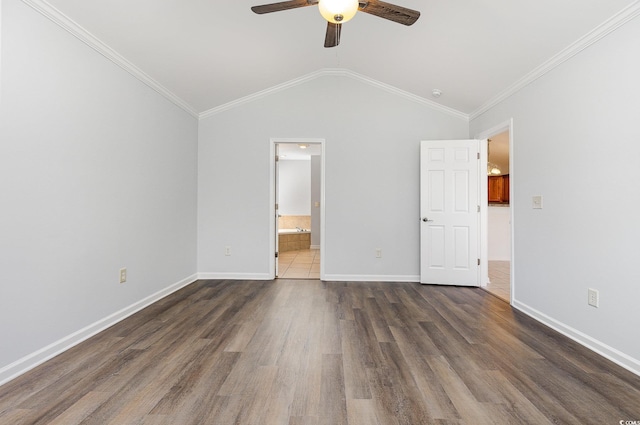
616	356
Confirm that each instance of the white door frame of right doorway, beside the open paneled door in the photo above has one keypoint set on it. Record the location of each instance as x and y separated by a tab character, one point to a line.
484	207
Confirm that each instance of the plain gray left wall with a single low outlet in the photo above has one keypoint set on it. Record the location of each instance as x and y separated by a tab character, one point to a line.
97	172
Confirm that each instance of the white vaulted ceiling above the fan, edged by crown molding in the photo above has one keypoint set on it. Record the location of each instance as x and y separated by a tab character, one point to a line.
212	52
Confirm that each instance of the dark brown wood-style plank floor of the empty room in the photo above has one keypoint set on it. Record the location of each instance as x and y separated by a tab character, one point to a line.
311	352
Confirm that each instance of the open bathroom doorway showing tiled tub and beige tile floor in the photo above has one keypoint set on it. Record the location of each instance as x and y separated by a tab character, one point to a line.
298	208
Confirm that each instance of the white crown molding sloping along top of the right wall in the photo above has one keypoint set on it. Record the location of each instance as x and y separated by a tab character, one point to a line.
619	19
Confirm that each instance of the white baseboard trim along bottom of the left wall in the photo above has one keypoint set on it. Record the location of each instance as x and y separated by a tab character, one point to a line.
36	358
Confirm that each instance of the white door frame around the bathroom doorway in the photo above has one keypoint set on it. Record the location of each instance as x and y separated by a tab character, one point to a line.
272	199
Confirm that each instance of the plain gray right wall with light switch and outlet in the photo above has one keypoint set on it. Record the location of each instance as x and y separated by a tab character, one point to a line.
577	143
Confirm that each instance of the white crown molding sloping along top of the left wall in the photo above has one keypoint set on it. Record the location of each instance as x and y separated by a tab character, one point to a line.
92	41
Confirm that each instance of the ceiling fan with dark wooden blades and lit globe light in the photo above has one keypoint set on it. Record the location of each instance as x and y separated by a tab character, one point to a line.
337	12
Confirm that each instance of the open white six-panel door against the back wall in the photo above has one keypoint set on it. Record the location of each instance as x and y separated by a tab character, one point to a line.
449	212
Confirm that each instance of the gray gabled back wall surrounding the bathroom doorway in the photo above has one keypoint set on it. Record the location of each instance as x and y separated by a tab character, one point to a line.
371	184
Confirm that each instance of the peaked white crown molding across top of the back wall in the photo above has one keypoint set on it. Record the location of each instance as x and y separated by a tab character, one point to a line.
333	72
